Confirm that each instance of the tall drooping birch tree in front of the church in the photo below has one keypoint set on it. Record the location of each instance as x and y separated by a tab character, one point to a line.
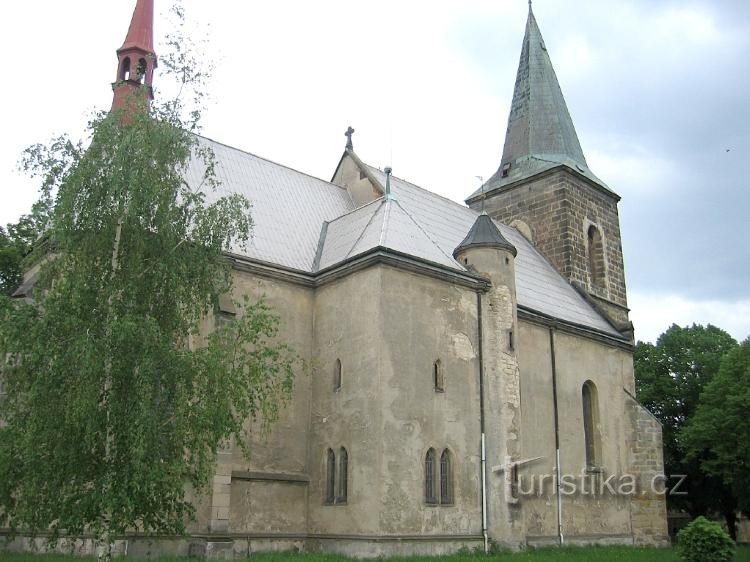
116	400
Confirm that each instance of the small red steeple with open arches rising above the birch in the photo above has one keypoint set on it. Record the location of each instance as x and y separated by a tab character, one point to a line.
136	58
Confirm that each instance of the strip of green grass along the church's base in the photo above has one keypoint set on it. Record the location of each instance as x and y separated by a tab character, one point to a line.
594	554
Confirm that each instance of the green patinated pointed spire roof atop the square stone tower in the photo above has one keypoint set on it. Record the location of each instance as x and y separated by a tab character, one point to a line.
540	133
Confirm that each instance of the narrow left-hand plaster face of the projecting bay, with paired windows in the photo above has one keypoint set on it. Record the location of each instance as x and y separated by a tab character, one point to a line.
347	326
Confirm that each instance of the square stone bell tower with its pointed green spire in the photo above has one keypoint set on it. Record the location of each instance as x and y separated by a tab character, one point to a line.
546	189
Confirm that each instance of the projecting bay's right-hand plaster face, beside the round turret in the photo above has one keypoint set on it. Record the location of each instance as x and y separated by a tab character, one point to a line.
425	320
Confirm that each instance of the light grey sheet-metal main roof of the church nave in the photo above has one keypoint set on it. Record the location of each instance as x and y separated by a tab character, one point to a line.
307	224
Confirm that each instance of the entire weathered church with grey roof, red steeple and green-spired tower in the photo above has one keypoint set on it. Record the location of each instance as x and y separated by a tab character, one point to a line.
474	363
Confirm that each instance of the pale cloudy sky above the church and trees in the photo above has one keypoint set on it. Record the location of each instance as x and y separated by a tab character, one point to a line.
658	91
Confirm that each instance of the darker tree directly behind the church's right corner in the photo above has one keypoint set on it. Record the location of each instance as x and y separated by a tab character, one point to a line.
670	377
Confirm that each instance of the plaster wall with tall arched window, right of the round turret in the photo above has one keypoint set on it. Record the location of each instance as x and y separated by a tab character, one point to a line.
585	516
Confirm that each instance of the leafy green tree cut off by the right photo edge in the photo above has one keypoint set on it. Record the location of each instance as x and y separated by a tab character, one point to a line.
718	435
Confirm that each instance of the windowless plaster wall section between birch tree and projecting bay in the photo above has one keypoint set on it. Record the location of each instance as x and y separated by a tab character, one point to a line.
280	451
